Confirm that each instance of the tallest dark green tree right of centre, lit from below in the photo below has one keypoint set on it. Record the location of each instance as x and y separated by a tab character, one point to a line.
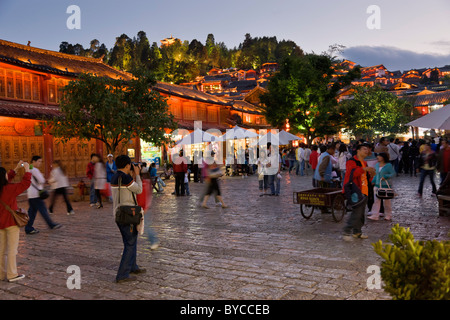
303	92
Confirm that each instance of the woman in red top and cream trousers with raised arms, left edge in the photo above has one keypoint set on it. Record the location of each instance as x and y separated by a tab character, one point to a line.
9	231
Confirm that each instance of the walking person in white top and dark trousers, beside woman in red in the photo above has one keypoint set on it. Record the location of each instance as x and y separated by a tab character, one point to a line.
34	199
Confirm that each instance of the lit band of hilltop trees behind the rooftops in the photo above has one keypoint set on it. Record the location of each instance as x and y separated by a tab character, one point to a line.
184	61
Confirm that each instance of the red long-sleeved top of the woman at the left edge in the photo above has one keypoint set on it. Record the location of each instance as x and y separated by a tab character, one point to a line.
9	196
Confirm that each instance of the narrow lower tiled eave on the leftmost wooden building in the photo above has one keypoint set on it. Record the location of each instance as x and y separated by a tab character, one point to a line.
27	110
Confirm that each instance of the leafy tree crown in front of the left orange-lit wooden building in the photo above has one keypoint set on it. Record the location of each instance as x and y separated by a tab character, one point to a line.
112	111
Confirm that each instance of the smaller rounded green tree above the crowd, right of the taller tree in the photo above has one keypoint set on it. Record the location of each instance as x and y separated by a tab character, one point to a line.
373	111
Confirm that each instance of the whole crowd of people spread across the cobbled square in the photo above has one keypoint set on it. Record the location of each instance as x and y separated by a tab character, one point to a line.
370	166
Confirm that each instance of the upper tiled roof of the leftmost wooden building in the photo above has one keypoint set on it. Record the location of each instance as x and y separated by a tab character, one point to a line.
56	62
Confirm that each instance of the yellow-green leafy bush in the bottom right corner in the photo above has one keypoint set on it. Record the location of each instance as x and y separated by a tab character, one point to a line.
414	270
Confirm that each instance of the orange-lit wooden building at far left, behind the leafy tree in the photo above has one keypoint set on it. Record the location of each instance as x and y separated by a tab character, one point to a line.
30	79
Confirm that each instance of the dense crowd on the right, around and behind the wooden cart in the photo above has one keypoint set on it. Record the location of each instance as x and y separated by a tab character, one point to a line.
372	166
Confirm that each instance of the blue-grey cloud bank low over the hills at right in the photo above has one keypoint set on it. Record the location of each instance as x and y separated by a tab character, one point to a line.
394	58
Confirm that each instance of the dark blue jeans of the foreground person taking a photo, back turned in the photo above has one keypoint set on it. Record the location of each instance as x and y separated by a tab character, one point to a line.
128	261
